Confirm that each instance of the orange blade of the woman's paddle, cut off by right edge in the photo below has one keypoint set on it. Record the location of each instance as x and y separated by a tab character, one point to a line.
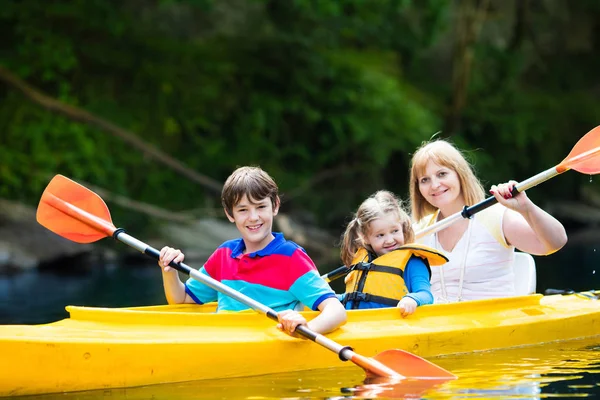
585	156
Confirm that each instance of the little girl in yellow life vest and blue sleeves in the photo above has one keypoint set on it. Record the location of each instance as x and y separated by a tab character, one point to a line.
385	272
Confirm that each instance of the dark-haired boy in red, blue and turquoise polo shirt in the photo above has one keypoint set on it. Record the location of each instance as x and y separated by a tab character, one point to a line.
261	264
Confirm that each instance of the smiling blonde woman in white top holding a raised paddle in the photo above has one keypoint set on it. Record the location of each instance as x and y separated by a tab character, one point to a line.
480	249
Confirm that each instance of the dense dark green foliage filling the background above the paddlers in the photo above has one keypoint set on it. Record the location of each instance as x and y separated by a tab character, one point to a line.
330	97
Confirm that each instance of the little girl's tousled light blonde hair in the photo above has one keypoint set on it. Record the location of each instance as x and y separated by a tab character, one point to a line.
378	205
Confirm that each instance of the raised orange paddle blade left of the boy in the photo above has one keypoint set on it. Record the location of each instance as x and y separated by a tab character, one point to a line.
74	212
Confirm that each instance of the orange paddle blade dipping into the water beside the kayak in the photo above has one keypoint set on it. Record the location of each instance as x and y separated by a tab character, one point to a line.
412	366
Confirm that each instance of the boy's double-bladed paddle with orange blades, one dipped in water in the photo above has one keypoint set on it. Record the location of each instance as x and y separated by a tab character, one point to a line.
78	214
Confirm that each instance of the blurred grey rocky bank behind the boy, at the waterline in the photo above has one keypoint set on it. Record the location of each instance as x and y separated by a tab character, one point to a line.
26	244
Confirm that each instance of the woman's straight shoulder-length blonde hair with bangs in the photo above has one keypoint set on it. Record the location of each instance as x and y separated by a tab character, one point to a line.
444	154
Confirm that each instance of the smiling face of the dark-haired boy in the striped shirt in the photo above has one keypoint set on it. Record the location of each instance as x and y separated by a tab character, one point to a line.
254	220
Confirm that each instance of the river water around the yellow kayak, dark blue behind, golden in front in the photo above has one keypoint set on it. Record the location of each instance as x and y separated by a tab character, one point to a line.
566	369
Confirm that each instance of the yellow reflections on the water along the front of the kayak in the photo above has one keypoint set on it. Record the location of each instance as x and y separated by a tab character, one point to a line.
566	369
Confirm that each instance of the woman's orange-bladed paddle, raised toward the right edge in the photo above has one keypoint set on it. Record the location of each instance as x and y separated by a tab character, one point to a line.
584	158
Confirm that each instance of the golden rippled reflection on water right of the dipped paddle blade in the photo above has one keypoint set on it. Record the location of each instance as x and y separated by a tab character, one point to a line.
562	369
